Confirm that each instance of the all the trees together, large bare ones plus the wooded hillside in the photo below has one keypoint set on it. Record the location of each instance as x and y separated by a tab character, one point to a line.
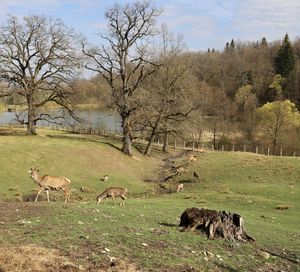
247	94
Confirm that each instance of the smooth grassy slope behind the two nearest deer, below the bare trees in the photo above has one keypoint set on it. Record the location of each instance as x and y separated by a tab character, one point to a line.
84	161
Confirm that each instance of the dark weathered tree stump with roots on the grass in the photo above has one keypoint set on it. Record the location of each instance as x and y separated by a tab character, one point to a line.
215	224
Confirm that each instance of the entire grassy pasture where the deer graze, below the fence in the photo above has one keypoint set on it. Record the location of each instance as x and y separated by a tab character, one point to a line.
143	235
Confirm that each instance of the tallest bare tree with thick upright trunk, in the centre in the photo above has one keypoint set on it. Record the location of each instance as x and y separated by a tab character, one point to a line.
123	58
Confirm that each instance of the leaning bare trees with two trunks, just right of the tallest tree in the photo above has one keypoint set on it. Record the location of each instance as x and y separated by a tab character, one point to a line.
169	102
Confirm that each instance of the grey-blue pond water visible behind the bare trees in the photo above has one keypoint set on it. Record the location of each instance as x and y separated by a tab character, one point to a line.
94	119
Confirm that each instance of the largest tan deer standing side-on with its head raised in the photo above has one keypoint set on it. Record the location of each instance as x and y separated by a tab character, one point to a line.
50	183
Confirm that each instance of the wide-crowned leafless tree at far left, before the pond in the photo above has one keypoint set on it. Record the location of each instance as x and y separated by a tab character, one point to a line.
37	62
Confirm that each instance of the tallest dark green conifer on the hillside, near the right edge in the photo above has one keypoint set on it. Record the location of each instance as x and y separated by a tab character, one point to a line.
285	59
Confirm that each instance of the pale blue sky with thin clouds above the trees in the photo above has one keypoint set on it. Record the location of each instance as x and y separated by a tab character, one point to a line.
202	23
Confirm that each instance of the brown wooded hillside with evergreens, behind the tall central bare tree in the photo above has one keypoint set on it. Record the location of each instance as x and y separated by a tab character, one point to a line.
247	94
